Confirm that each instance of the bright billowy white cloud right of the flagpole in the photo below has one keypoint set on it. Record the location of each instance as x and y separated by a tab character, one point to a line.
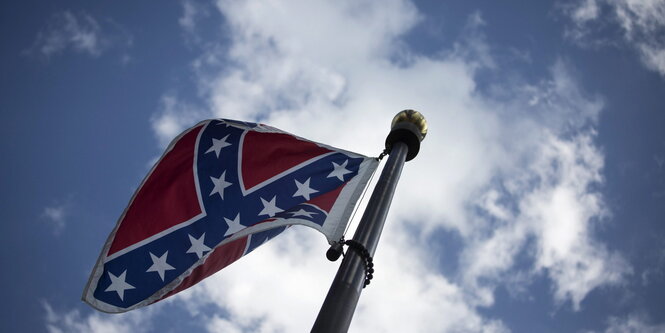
545	204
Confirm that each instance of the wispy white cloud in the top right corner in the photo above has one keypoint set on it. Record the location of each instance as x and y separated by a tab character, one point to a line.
642	23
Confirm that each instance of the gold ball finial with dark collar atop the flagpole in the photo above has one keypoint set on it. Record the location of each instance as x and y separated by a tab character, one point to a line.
409	127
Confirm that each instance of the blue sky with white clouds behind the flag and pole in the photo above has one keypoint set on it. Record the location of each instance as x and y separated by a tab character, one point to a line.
534	205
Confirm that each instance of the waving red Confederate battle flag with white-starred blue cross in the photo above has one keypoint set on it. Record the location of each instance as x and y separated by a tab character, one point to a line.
221	189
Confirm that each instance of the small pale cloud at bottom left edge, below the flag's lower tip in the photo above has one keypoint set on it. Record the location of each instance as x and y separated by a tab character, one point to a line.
73	321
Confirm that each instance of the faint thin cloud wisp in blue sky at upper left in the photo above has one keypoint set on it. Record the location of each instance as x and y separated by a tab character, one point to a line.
80	32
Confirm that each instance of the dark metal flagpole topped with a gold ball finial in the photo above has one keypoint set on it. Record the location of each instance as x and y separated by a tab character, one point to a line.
403	143
